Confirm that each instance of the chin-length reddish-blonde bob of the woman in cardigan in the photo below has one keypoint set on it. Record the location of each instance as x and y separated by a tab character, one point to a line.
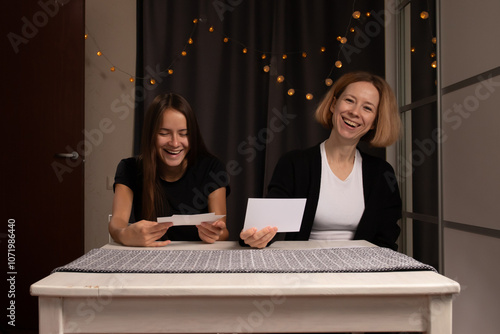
387	123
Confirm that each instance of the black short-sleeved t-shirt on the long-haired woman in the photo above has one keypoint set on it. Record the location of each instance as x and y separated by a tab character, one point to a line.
188	195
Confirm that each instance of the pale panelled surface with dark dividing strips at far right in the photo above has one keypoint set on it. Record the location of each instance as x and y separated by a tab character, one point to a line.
470	32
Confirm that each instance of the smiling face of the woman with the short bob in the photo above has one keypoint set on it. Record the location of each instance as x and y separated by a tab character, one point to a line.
354	112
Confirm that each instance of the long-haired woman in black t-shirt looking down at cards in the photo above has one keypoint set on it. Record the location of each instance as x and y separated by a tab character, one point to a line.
175	174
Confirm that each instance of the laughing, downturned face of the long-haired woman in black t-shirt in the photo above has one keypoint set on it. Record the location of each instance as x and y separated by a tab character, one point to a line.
172	144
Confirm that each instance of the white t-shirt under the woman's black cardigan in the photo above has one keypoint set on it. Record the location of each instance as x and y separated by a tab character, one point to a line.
341	202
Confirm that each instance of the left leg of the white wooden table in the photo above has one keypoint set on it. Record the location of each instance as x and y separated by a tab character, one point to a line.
50	315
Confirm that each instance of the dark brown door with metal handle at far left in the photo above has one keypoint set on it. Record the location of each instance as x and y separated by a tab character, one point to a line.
42	116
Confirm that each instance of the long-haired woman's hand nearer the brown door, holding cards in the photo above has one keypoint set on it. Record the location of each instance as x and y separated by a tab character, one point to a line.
144	233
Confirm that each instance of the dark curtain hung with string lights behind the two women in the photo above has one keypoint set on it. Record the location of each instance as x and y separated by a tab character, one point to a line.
247	118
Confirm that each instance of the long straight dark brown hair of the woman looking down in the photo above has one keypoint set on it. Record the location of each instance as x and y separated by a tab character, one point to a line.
154	200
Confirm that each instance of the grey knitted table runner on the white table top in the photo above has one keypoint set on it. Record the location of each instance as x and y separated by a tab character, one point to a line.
325	260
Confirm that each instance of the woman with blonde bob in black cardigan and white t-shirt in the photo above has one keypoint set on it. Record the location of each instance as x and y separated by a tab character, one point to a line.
350	195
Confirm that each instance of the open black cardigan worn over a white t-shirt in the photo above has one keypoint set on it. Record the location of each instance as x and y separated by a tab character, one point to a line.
298	175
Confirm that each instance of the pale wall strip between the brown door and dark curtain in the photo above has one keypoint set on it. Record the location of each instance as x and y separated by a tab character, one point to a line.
109	111
